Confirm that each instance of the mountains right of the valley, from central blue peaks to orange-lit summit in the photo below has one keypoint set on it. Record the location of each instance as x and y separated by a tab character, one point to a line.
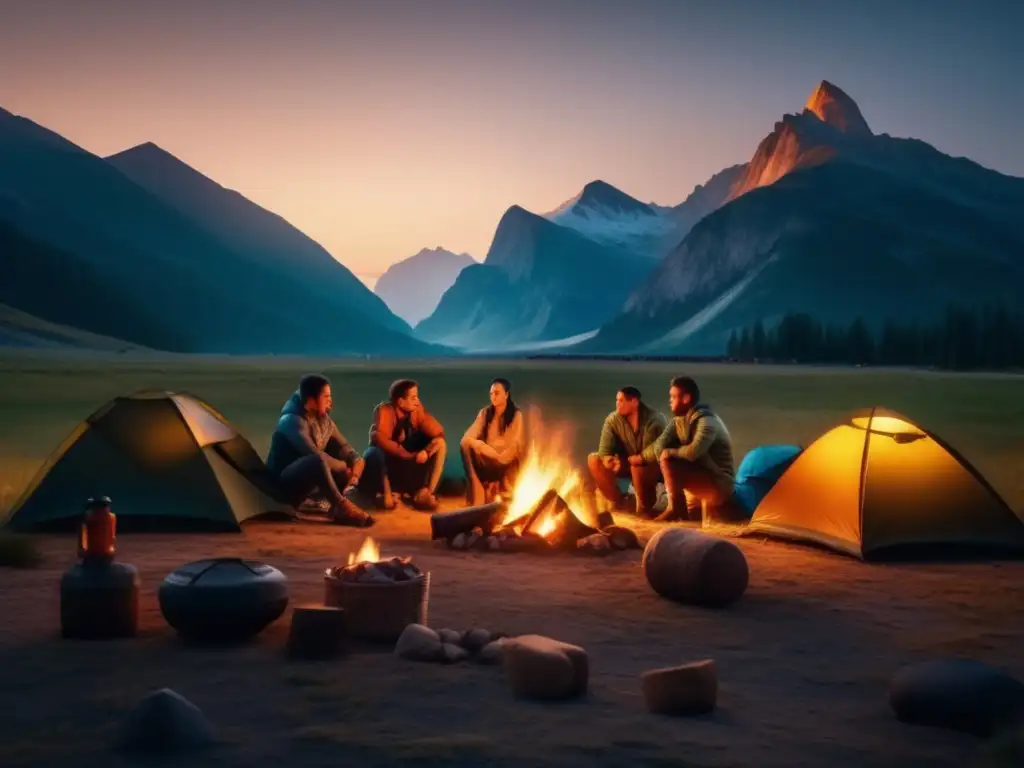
827	219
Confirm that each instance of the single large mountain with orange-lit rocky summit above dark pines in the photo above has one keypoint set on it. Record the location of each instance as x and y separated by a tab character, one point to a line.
835	222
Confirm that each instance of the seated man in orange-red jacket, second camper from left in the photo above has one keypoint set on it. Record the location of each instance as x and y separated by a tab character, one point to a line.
407	450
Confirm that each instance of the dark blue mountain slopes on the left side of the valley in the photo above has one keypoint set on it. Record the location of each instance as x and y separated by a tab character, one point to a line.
143	248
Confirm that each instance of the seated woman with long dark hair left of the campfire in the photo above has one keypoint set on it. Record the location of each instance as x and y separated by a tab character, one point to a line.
494	445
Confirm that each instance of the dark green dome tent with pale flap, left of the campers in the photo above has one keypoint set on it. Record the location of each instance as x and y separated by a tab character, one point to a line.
168	461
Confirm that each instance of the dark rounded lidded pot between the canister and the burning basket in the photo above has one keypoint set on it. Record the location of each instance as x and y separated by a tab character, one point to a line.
223	601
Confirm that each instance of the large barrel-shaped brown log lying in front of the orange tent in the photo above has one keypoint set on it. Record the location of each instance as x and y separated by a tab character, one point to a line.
693	568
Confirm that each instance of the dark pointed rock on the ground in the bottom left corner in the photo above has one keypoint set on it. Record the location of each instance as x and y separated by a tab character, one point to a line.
166	723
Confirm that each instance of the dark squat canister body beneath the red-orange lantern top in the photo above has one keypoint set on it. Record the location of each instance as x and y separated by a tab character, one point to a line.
100	602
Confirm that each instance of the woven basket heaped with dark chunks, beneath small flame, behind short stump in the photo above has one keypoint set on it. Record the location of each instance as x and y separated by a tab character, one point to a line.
380	600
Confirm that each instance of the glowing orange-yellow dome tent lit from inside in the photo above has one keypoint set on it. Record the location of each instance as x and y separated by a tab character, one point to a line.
879	484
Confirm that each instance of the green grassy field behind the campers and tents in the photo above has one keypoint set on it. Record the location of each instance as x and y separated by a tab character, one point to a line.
42	399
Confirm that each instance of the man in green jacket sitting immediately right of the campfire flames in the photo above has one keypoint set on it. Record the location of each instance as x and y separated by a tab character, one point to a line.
630	430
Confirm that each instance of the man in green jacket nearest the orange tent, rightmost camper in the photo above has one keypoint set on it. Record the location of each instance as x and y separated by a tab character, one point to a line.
695	453
